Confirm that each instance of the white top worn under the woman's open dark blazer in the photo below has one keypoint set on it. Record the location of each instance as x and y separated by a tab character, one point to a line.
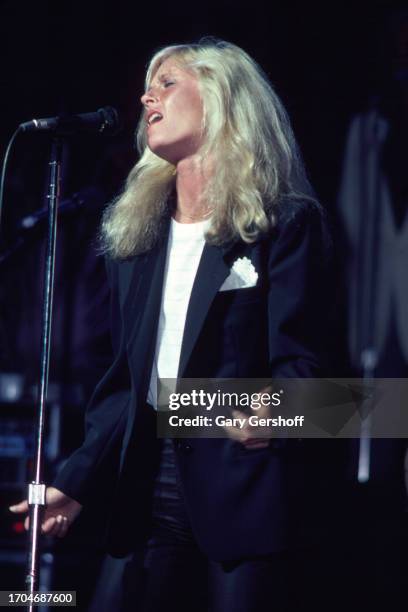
184	249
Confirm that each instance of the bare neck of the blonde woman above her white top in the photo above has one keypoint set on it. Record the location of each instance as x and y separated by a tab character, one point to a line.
192	177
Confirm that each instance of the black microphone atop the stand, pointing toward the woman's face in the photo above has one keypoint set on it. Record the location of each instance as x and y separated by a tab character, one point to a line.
105	121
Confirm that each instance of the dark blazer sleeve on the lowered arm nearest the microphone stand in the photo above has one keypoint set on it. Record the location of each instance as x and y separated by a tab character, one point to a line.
105	418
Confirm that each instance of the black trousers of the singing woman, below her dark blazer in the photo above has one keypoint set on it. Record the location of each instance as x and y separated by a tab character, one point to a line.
175	575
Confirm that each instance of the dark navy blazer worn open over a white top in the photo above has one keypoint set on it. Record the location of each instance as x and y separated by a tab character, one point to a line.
241	502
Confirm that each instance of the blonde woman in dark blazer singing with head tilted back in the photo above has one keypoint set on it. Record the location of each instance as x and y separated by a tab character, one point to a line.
217	261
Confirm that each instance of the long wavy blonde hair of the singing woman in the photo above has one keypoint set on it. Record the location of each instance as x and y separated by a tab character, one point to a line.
250	140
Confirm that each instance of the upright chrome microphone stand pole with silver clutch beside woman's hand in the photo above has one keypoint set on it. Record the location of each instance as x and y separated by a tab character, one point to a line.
37	488
